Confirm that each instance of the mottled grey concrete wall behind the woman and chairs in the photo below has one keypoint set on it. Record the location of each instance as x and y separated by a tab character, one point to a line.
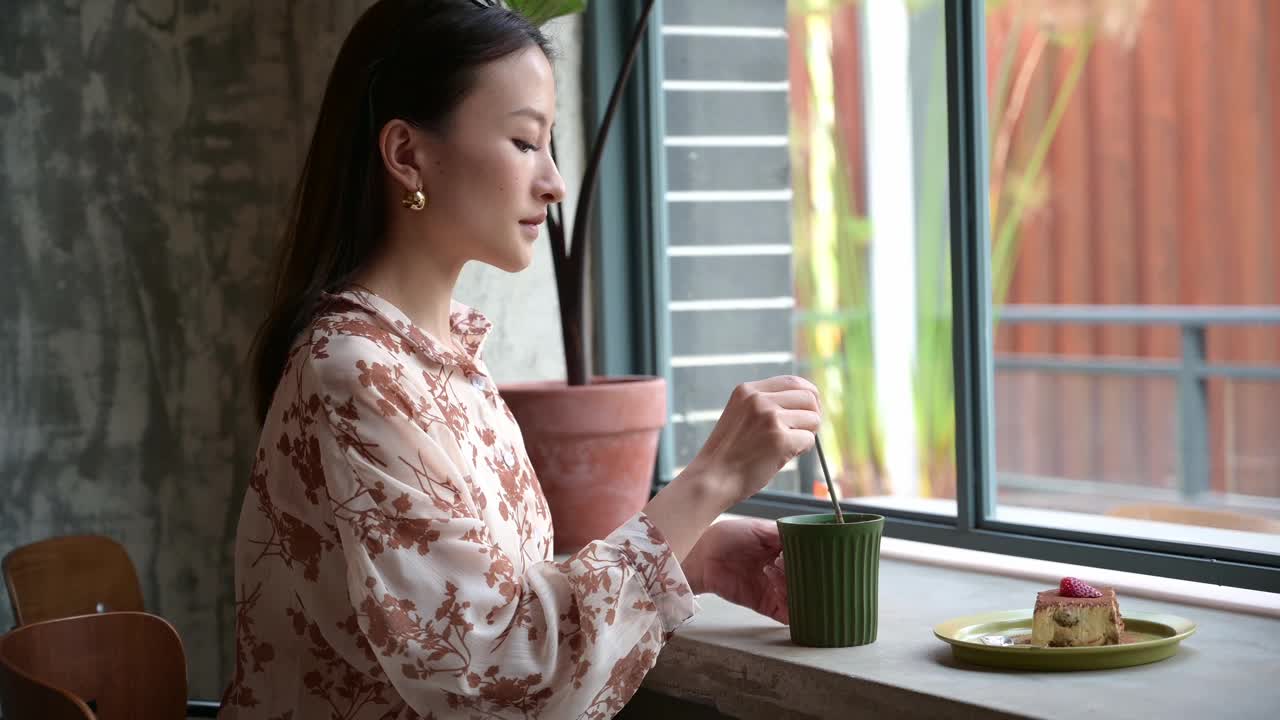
148	152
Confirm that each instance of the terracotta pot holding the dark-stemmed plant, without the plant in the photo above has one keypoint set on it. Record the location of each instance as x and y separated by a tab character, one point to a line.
593	448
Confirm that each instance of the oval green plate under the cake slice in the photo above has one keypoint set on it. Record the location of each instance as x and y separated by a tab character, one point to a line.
979	640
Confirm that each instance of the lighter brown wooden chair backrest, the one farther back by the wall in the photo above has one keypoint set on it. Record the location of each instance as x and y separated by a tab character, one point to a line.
71	576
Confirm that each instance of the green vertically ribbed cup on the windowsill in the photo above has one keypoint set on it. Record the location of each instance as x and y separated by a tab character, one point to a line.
833	578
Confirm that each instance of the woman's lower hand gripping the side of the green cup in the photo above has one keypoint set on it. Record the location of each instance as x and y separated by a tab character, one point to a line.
742	562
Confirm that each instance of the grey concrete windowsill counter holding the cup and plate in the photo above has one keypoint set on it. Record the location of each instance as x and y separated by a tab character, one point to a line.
747	667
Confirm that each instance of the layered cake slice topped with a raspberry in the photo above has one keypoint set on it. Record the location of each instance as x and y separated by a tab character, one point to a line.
1077	616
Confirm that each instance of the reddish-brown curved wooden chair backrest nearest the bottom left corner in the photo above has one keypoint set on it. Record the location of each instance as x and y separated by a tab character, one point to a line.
122	666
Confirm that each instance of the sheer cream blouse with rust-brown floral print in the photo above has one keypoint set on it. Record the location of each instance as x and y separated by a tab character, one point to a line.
394	557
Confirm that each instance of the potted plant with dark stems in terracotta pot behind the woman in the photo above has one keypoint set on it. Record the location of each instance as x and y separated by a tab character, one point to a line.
593	441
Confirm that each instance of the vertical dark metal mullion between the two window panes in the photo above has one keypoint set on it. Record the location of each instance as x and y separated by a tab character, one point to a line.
971	281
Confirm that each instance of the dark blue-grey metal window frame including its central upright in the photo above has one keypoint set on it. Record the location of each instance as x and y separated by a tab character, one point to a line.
633	327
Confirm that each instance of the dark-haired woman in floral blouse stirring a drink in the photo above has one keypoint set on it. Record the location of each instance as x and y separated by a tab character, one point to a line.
395	552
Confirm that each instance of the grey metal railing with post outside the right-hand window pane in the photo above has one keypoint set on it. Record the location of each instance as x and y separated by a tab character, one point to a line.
1191	371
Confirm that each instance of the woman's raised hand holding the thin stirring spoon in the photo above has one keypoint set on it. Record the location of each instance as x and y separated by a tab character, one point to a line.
766	425
